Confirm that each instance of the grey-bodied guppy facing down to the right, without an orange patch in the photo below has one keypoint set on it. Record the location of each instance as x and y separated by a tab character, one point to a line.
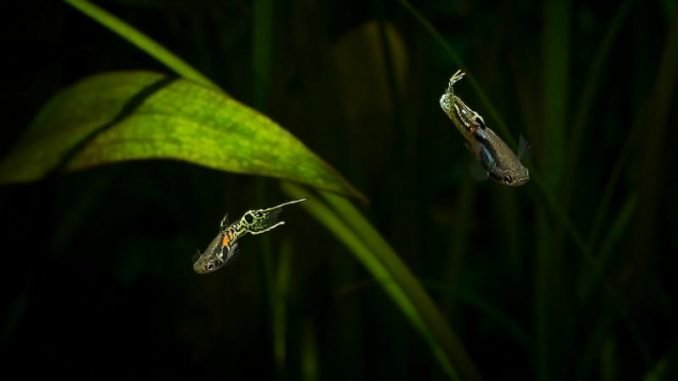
497	160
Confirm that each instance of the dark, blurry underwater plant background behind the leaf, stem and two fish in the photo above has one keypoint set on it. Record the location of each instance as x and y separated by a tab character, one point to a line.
96	269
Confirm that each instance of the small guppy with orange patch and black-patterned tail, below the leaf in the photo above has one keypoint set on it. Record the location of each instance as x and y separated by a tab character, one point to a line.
223	246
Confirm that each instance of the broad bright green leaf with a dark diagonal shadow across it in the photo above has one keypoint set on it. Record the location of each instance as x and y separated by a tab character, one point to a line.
138	115
